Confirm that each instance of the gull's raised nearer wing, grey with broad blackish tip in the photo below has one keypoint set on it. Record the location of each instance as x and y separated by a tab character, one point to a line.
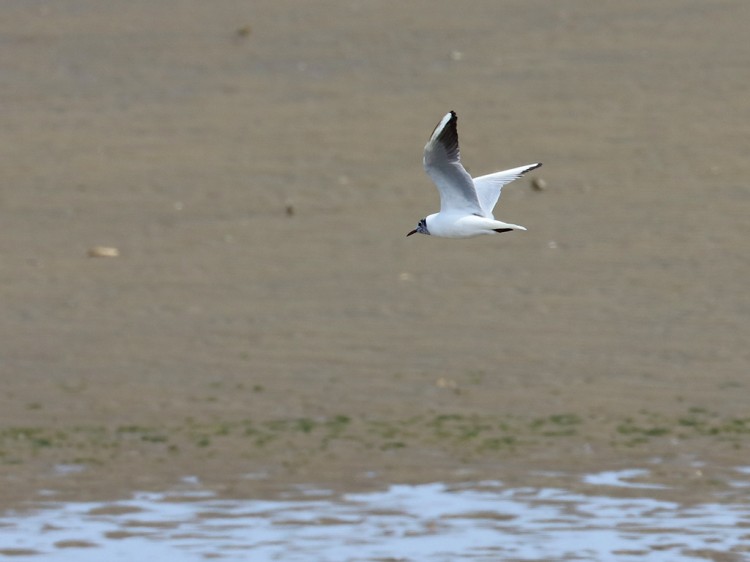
442	162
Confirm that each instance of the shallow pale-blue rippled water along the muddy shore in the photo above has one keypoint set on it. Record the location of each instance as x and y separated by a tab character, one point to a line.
482	521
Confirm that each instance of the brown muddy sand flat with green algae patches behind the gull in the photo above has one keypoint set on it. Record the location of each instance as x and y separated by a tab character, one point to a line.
230	338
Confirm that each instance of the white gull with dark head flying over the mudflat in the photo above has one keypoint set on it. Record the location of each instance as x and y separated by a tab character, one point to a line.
466	204
